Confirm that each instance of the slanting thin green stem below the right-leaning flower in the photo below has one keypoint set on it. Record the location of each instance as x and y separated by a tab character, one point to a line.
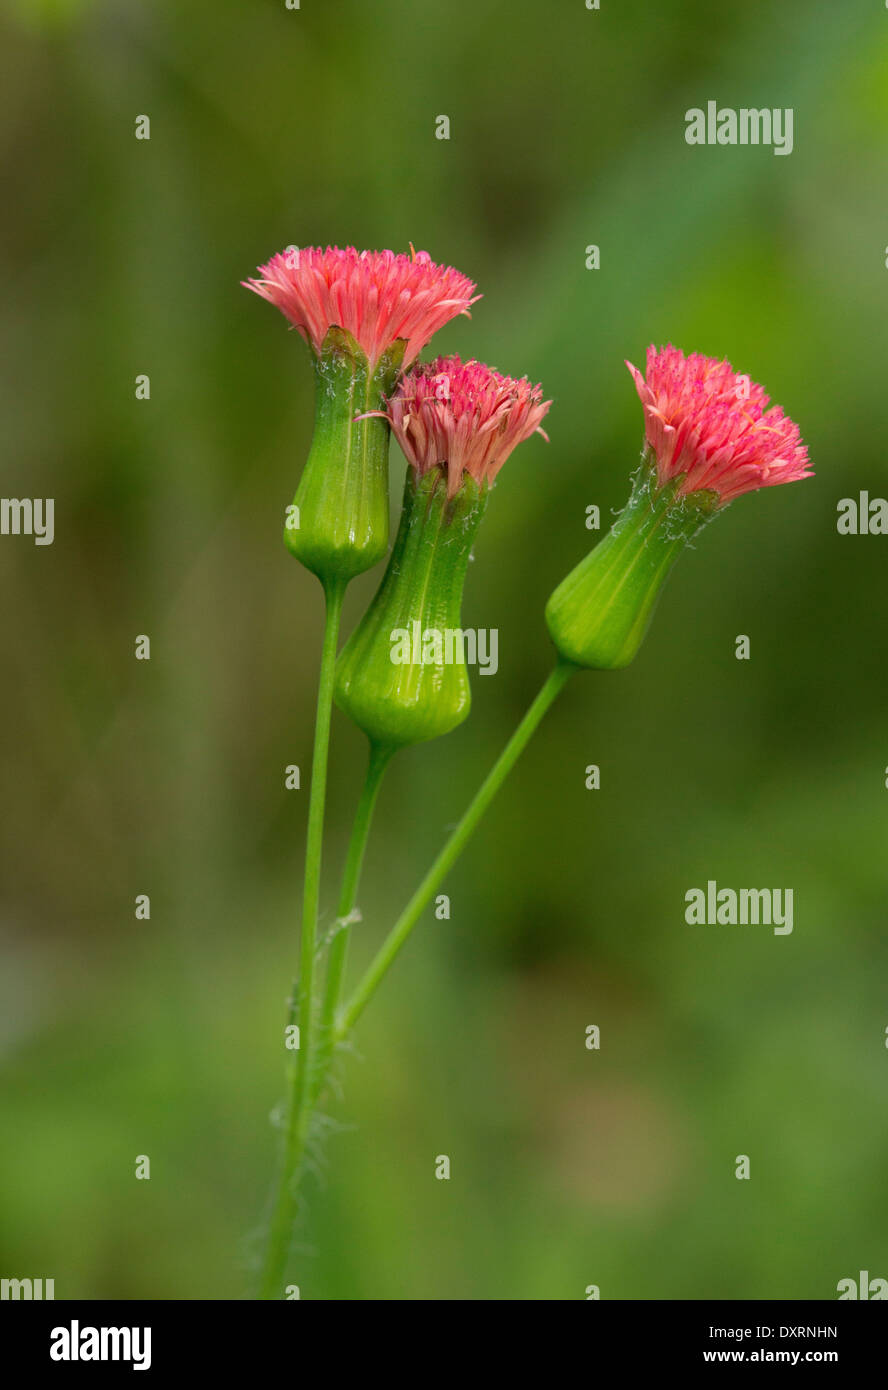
454	849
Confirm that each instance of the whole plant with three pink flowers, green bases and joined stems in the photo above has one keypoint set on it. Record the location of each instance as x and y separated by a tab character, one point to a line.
711	436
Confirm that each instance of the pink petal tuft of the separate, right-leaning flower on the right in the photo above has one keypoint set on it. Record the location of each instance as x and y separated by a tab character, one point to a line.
709	427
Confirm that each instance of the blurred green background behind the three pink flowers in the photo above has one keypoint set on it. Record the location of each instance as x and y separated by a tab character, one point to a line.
122	1038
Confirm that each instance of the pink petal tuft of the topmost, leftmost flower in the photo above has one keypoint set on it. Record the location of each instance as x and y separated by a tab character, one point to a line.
377	297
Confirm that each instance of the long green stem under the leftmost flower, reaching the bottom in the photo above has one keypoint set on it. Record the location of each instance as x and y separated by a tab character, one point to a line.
299	1111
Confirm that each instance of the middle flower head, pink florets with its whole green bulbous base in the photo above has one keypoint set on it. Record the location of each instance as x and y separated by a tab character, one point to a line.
402	675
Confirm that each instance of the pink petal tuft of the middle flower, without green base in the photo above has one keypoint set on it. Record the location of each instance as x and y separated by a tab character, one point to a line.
463	416
